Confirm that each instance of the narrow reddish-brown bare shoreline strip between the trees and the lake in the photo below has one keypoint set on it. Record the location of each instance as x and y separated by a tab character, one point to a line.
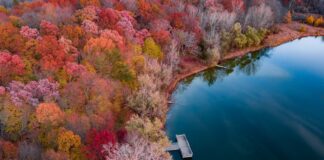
287	33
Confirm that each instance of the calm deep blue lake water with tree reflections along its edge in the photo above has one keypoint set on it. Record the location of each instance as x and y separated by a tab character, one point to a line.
268	106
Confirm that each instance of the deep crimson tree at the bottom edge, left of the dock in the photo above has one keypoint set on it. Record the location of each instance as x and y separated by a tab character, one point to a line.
95	141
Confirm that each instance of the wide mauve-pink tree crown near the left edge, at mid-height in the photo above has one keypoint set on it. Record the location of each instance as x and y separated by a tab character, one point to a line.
34	92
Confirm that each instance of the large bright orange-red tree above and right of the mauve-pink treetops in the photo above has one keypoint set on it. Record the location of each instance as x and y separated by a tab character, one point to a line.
53	55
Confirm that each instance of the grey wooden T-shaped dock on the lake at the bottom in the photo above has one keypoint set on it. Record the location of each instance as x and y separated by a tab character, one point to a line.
182	145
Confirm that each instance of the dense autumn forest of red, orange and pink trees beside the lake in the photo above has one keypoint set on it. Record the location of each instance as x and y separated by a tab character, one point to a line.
86	79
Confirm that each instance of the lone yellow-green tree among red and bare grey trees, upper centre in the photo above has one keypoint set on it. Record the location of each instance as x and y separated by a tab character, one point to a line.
152	49
